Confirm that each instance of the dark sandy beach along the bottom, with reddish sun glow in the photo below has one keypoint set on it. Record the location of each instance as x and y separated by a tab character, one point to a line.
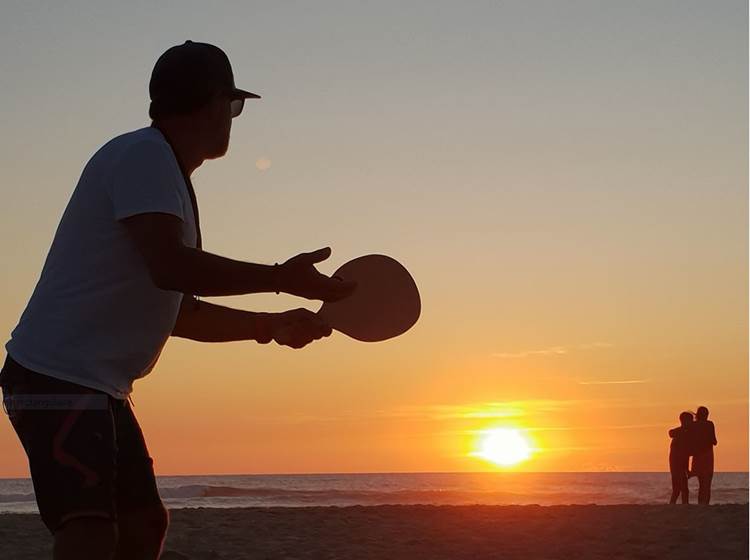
429	532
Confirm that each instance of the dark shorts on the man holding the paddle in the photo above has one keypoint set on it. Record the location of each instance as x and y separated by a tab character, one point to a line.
86	451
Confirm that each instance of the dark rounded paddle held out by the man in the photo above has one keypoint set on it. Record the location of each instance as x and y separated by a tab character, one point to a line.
385	303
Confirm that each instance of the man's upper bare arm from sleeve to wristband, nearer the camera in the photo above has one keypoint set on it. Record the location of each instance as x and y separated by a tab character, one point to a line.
205	274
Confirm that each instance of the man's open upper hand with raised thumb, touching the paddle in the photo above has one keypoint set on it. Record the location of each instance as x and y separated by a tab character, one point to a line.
299	277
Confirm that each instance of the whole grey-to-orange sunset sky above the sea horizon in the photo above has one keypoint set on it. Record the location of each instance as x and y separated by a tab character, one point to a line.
566	181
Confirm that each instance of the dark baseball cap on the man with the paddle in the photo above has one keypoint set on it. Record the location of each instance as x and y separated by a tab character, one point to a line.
185	76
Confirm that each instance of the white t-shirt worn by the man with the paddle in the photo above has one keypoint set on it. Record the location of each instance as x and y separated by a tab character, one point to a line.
95	317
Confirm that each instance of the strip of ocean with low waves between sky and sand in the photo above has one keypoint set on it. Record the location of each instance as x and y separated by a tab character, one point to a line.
501	488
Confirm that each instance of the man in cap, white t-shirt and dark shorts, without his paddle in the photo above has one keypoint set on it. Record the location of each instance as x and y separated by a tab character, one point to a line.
122	275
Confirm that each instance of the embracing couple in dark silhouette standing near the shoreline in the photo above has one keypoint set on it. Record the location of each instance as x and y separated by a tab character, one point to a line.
695	437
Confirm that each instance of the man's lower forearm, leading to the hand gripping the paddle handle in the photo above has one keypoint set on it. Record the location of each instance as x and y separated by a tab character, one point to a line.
216	323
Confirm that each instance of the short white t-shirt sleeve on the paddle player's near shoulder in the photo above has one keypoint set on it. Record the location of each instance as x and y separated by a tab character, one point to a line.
145	180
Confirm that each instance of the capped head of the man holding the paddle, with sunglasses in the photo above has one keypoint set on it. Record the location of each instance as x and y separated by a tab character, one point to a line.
194	99
